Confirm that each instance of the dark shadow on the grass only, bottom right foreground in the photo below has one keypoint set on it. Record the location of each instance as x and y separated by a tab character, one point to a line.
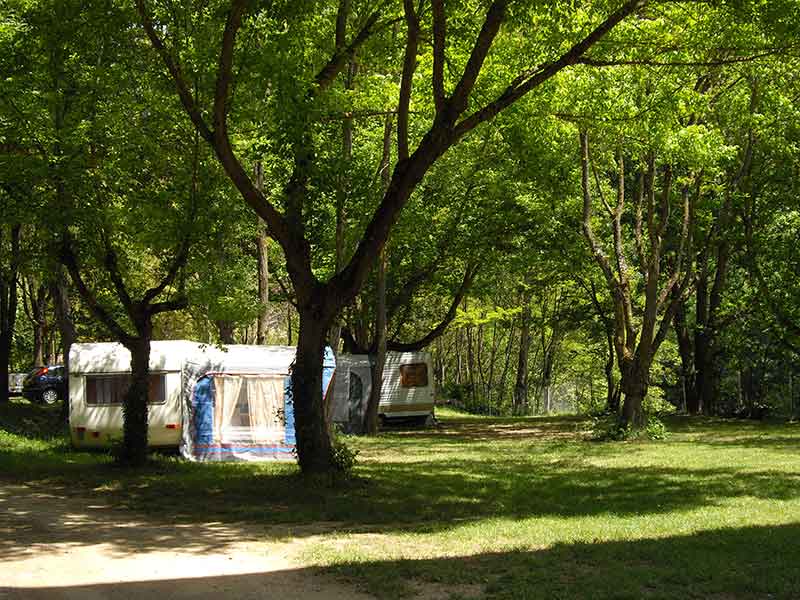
746	563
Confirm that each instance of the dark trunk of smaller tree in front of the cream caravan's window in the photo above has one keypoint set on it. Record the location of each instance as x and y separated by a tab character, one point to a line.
134	405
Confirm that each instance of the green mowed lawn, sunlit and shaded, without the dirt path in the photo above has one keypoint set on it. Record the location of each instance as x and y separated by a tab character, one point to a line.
490	507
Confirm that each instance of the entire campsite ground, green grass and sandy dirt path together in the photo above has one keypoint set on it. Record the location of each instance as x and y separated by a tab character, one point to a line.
477	508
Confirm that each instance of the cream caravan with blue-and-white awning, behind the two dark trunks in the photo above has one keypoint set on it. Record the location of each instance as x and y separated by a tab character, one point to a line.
230	403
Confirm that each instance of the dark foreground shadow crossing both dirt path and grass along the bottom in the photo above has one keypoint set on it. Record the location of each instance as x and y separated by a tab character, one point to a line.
728	564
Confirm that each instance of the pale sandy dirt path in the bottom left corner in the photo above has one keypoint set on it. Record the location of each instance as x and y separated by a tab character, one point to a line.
57	546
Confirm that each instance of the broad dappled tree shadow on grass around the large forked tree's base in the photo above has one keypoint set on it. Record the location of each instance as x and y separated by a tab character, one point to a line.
403	487
